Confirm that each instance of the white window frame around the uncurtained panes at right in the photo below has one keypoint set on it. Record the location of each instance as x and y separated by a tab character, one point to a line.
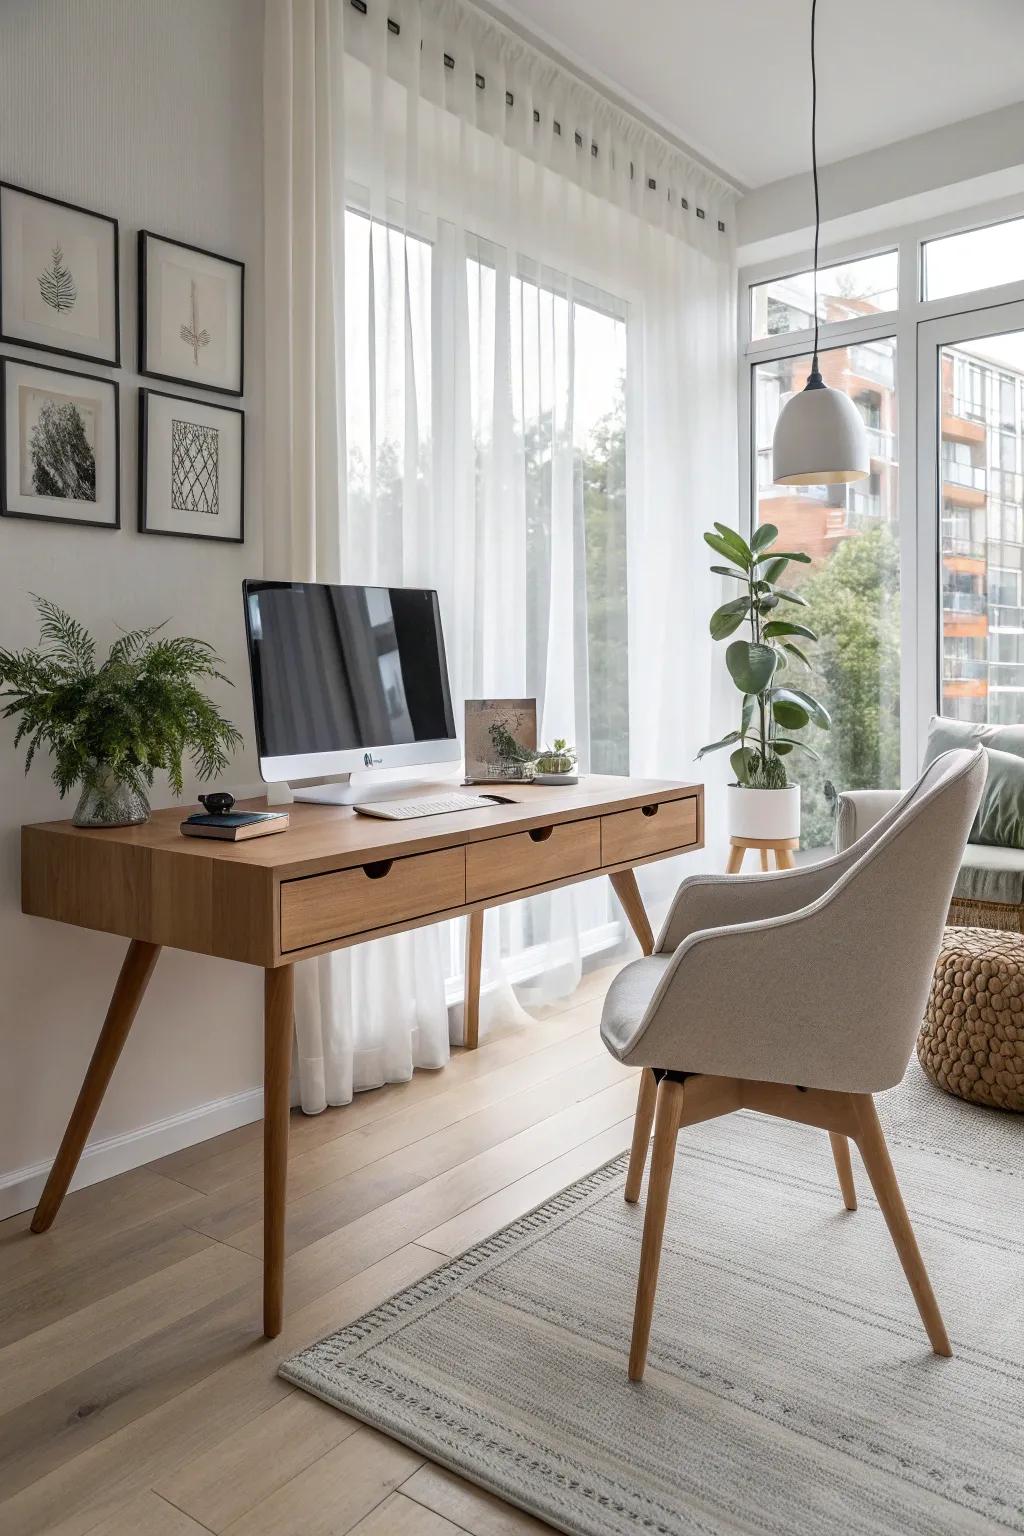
917	408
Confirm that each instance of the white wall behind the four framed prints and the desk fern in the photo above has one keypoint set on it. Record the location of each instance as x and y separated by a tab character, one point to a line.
150	111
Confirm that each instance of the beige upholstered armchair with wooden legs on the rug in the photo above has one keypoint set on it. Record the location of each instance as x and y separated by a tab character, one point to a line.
798	995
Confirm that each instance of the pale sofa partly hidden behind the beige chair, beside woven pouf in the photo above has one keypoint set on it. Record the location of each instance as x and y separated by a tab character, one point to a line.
989	890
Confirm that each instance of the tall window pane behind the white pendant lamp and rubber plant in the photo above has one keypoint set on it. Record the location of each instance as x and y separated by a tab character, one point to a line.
853	586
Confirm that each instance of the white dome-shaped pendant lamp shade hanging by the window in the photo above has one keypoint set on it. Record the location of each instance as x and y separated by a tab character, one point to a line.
819	440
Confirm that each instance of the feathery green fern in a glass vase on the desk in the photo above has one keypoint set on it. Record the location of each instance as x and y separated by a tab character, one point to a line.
111	727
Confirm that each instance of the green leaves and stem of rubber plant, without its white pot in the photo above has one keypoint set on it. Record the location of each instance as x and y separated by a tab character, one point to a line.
773	710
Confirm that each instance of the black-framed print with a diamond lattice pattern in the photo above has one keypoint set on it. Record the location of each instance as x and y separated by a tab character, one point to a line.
185	474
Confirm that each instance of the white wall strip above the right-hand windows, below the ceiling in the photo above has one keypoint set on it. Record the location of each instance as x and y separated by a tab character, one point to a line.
916	179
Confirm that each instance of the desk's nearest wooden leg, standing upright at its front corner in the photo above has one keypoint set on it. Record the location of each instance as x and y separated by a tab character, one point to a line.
279	1028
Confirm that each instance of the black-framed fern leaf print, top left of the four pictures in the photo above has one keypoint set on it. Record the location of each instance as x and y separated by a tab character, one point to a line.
59	277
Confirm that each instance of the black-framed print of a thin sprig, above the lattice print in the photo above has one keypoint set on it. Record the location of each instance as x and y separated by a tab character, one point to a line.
191	300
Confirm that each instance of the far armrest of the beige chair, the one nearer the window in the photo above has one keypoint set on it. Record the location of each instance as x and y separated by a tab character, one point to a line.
721	901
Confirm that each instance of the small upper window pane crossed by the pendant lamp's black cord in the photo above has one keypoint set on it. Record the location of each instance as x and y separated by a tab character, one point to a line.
847	291
